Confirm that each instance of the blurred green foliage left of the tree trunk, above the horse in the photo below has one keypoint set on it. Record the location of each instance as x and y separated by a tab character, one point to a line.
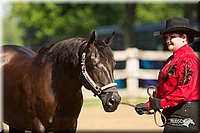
50	22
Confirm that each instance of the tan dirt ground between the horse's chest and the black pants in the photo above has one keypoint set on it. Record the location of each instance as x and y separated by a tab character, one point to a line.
123	119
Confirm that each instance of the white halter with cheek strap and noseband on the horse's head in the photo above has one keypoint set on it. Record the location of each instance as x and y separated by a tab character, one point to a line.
98	90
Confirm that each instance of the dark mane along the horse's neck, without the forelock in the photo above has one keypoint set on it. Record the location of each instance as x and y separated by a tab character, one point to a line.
63	53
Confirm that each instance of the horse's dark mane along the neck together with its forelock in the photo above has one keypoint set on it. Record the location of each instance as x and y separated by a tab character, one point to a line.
66	53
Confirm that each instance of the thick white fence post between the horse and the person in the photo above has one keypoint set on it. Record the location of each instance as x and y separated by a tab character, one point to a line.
132	68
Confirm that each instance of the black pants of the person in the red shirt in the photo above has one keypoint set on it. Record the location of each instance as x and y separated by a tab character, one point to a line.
183	118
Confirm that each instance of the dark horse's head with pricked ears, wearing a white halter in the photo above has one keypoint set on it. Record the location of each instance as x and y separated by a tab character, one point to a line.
97	66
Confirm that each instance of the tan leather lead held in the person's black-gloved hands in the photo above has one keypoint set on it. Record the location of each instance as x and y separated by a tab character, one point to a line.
156	122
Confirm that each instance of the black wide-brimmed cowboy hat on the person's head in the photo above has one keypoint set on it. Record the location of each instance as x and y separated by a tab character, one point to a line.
178	25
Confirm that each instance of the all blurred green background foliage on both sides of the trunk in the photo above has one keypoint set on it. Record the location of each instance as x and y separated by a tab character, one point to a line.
42	23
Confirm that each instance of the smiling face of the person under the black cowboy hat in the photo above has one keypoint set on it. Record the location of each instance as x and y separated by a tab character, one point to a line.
174	41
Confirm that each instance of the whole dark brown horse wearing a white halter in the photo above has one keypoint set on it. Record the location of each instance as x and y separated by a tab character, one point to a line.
42	91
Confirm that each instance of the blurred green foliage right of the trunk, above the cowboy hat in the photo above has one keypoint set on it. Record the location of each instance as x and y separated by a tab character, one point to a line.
159	12
